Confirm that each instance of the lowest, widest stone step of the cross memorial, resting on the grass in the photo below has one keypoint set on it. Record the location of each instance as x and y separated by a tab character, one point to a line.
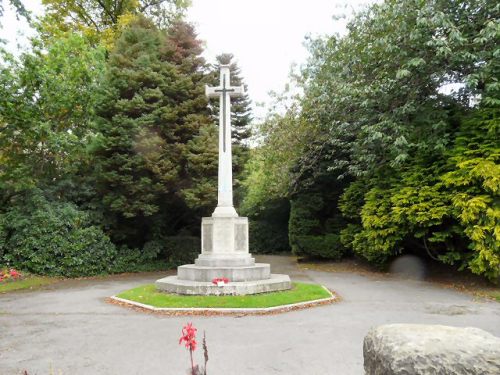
172	284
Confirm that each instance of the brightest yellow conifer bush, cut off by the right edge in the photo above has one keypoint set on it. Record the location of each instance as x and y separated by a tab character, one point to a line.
474	190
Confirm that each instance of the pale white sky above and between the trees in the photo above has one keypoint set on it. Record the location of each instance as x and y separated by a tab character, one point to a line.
266	36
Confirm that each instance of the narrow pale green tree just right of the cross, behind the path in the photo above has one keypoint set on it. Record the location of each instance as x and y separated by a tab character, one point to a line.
269	179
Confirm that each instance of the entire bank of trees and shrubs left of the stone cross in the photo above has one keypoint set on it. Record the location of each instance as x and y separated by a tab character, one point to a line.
108	152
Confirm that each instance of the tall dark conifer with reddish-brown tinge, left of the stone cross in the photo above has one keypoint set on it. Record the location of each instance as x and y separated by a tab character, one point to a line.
152	108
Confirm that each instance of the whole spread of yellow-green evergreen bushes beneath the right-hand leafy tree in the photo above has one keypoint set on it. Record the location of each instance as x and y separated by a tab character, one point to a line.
447	209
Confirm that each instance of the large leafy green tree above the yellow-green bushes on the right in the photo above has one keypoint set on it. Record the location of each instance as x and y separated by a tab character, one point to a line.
377	90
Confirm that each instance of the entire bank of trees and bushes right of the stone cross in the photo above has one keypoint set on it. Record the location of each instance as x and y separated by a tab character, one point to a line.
402	112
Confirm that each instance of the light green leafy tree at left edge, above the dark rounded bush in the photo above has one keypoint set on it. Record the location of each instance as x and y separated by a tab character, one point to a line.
47	100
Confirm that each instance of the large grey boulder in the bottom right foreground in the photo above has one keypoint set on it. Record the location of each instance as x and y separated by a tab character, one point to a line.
410	349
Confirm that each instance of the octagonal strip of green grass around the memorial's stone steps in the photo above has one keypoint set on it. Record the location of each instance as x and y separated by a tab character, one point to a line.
300	292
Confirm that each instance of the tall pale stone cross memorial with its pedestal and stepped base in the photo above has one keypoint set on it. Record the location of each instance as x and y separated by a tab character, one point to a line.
224	235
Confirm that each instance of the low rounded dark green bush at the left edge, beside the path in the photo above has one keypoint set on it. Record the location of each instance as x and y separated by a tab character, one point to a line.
53	238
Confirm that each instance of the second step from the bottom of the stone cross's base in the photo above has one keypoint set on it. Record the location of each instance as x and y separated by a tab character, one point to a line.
193	272
